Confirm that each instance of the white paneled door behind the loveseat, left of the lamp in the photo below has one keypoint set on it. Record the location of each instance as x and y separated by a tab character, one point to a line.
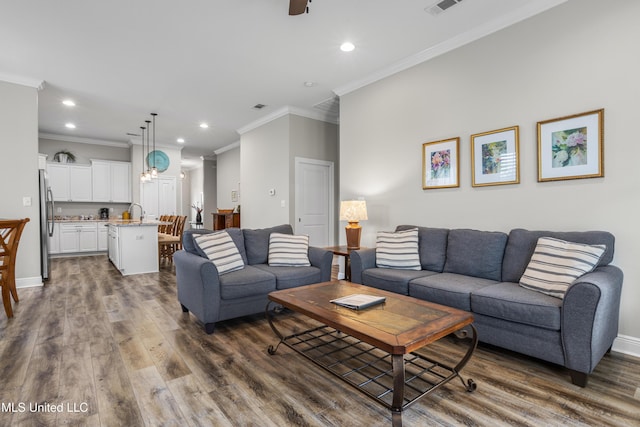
314	200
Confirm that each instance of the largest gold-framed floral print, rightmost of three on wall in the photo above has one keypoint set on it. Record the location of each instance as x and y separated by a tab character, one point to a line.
571	147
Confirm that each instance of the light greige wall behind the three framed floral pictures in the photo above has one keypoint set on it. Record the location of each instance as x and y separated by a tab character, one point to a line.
574	58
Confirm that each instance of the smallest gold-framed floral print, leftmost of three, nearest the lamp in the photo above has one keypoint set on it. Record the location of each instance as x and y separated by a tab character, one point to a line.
441	164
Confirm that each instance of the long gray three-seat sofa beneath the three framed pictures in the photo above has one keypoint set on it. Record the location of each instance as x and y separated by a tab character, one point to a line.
479	271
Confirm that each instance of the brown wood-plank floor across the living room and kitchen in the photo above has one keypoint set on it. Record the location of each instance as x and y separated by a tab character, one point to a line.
93	348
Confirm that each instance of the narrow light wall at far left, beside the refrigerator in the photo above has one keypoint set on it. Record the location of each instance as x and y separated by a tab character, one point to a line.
19	173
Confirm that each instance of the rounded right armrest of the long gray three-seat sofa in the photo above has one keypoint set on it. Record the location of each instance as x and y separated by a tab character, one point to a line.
590	314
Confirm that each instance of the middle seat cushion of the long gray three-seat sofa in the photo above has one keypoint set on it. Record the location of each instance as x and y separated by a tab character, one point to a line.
450	289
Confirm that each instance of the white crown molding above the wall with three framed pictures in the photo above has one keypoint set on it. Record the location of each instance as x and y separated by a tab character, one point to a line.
467	37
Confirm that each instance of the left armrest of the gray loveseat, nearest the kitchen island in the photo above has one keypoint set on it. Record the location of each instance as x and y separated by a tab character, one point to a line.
198	285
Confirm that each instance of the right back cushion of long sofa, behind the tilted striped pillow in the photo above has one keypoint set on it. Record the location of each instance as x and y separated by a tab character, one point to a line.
522	243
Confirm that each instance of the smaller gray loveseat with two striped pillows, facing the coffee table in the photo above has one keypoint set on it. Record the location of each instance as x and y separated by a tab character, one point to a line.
212	297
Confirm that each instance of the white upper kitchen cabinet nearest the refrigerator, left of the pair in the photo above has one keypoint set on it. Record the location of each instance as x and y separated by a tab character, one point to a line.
70	183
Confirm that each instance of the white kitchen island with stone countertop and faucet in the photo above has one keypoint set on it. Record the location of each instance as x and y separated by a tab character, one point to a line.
133	246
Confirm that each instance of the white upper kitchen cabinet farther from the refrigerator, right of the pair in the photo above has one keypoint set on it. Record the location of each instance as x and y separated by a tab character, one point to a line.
111	181
